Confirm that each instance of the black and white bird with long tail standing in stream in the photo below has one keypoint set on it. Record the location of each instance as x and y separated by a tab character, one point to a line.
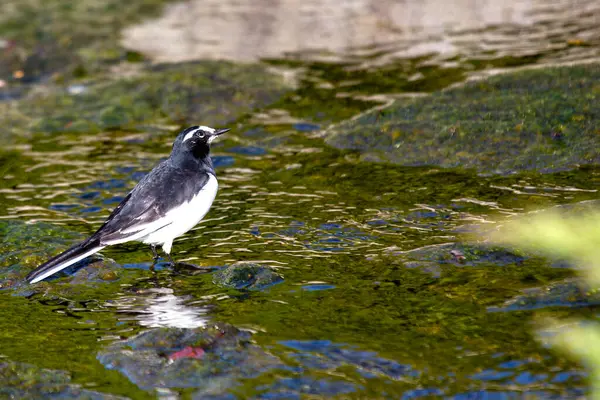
165	204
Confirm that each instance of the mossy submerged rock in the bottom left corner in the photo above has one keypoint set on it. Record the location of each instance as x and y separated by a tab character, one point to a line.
24	381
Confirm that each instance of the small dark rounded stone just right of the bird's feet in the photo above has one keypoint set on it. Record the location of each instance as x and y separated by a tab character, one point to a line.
246	276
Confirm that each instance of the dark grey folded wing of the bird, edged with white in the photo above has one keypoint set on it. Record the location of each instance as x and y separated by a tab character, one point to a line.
146	206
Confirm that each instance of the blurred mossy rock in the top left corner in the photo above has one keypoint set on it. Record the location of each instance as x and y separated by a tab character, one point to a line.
65	39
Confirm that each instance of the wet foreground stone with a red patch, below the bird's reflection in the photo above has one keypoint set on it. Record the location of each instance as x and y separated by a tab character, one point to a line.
210	358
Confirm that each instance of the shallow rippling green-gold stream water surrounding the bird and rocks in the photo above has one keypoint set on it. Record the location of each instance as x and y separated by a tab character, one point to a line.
384	294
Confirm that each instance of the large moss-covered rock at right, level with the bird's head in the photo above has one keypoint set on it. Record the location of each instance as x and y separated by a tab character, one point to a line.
544	119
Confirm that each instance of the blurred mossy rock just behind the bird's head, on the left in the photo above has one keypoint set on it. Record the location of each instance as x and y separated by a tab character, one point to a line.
213	93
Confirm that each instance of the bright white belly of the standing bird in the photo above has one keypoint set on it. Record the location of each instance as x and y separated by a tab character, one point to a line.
185	217
